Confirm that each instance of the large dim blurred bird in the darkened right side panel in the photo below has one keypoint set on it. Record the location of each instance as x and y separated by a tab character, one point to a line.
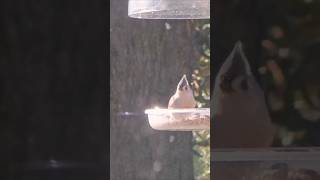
240	115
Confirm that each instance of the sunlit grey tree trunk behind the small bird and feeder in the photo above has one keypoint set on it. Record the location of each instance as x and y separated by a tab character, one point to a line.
147	60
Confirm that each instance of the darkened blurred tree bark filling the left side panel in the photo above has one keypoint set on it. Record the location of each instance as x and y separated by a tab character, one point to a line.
52	56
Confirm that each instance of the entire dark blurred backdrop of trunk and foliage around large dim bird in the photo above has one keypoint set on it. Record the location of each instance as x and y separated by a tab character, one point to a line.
281	40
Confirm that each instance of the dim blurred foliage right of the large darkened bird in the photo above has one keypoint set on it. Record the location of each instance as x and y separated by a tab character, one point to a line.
290	72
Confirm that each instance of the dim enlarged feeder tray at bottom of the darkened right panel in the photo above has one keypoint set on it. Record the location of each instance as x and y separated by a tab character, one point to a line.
269	163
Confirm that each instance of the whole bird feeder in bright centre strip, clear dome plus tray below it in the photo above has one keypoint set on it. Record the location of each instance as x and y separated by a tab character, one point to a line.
174	119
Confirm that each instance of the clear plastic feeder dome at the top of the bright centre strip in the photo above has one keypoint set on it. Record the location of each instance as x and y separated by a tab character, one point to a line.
169	9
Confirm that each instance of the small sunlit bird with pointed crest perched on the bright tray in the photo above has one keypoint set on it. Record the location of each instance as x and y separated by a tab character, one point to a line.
183	97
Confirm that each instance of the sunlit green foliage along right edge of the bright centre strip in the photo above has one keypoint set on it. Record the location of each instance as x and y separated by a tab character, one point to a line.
201	85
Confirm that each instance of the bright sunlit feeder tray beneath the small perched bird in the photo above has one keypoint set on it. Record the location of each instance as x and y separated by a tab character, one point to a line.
179	119
